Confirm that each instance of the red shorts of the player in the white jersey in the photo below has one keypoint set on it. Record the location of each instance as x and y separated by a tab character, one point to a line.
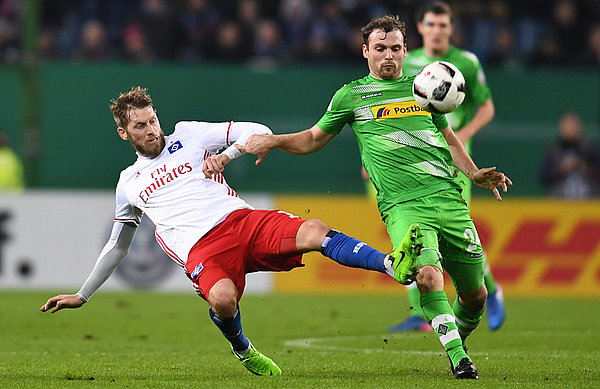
246	241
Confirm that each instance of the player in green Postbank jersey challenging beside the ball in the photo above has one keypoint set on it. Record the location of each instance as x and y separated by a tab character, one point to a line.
409	154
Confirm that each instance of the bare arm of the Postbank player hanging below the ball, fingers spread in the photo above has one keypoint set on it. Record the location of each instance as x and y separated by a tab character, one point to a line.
486	178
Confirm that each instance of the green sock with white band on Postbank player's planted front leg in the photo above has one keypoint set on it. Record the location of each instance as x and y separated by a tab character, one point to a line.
438	312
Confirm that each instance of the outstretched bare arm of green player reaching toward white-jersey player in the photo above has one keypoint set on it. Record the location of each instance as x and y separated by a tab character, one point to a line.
299	143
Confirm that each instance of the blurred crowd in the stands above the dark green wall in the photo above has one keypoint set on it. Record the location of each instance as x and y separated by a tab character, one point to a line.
507	33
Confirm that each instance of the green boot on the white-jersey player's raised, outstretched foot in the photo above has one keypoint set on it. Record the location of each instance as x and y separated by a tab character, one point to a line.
405	255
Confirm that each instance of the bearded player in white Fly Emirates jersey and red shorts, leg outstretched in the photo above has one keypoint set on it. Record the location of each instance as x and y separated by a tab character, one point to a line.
202	224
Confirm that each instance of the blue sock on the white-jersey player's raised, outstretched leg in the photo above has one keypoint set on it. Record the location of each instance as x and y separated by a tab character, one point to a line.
352	252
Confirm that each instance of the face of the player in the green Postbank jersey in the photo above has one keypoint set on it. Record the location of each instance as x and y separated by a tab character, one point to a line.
385	54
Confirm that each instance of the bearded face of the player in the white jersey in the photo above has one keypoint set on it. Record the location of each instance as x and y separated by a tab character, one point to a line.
144	132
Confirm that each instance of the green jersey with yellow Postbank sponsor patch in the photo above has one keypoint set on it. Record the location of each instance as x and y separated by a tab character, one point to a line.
400	145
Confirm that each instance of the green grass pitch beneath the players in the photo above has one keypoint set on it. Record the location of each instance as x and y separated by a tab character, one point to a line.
151	340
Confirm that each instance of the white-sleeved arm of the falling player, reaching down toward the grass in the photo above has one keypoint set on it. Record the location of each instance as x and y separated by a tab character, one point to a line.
109	259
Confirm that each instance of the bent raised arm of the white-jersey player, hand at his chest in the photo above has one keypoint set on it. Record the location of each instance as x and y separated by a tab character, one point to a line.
238	134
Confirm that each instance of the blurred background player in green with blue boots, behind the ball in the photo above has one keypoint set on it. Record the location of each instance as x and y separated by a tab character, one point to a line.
435	25
